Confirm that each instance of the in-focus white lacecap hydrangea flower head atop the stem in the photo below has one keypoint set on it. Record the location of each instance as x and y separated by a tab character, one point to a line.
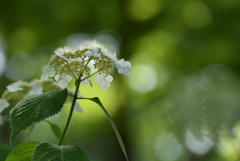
84	61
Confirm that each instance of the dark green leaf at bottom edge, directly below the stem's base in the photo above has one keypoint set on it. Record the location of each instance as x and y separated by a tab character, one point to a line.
51	152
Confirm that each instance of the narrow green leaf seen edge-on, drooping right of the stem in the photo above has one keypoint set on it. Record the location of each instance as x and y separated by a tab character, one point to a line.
97	101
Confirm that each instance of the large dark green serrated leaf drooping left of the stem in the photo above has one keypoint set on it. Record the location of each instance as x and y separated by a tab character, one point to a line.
36	109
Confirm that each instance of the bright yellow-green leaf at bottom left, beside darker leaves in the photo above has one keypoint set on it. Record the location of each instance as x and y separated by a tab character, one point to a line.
23	152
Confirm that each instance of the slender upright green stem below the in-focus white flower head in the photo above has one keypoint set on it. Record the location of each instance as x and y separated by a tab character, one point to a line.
71	110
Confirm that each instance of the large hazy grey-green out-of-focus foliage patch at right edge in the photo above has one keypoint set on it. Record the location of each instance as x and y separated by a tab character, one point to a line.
206	102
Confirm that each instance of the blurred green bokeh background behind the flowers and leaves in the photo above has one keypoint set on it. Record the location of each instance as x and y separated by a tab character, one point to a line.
184	79
